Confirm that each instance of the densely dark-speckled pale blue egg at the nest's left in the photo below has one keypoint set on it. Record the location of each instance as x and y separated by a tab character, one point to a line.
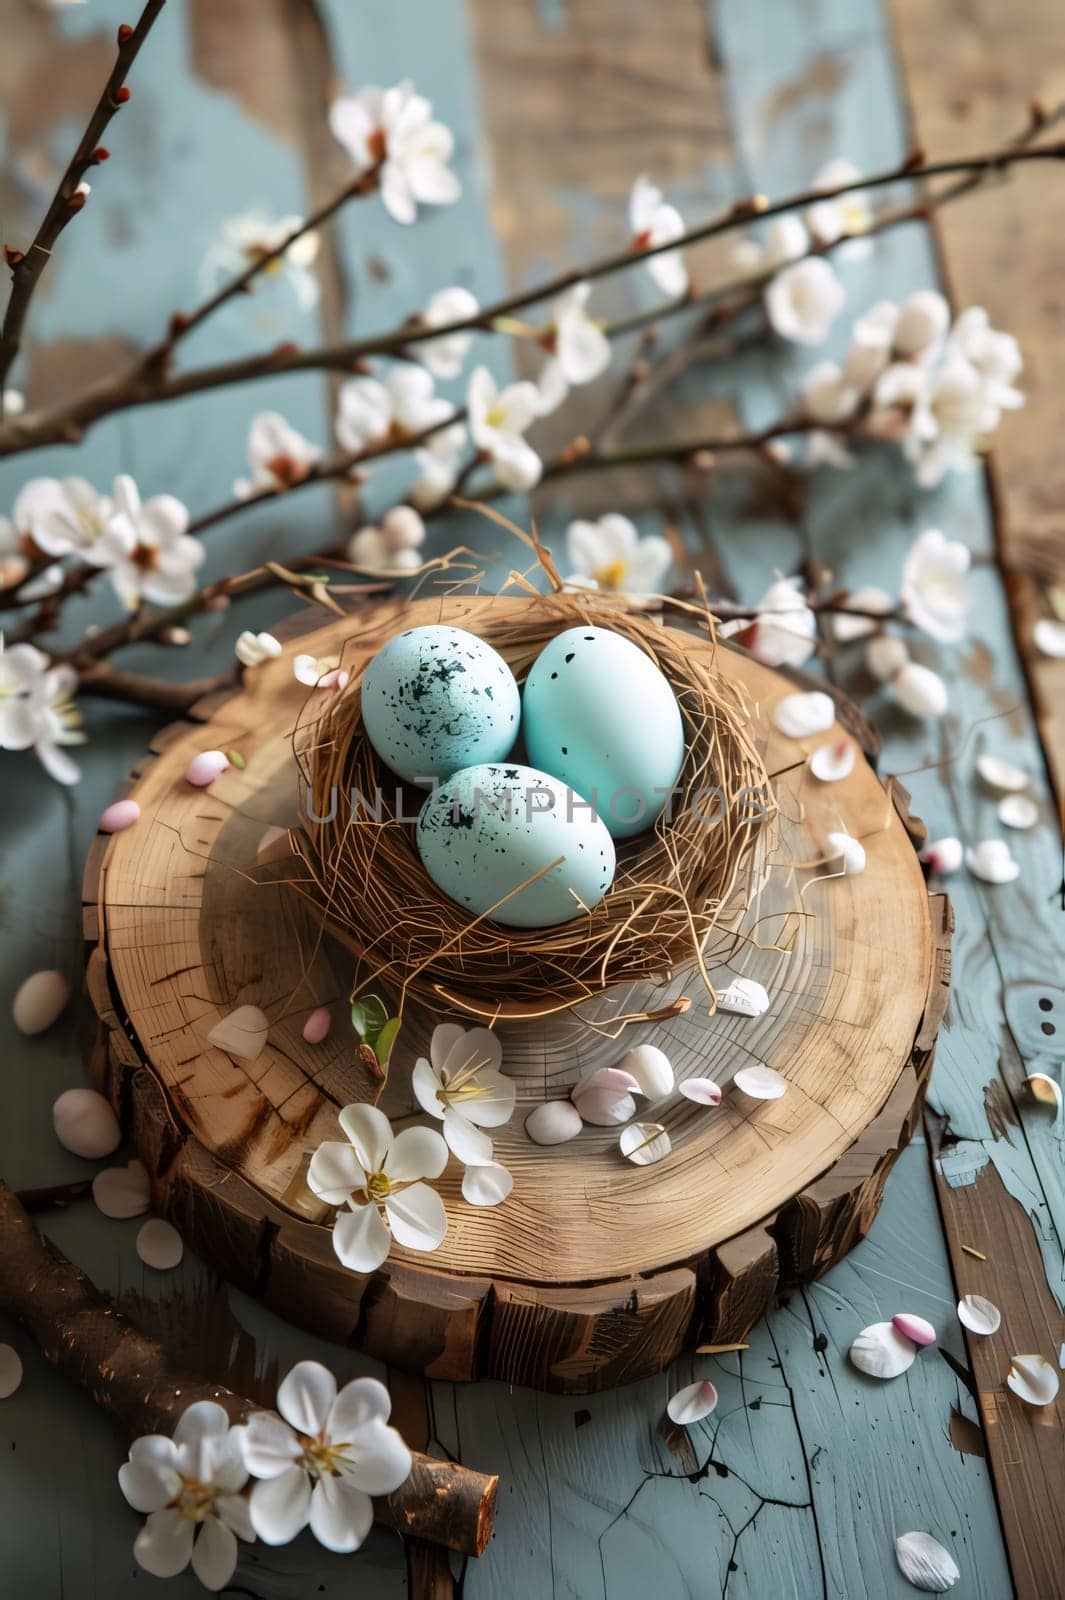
437	700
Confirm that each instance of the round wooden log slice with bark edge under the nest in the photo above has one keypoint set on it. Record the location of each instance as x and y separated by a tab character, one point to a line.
596	1271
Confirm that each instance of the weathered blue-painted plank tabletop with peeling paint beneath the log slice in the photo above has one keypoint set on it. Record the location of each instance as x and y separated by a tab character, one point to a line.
808	1471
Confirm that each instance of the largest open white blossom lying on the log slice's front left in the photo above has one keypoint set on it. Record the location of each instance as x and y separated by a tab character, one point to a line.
386	1172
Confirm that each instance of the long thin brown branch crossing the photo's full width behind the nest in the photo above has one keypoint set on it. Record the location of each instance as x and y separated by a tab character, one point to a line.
116	394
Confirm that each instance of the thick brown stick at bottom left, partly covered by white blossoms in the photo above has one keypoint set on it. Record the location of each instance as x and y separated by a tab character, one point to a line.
130	1375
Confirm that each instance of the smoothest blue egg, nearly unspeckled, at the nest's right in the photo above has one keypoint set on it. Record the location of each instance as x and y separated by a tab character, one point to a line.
599	714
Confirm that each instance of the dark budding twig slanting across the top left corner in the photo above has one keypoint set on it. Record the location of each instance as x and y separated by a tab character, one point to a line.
26	268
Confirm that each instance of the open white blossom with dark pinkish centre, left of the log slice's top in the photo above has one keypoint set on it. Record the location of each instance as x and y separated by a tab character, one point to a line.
150	553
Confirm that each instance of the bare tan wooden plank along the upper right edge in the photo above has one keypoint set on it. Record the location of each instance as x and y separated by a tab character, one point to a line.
1002	252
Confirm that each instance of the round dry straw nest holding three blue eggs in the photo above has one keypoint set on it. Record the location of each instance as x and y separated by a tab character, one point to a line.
679	894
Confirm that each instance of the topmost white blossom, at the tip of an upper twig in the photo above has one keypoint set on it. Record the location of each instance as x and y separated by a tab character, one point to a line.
396	130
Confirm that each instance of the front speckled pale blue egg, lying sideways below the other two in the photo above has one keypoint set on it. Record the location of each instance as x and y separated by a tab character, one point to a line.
490	828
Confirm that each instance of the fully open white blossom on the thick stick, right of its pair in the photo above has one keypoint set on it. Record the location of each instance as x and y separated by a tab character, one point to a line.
325	1460
